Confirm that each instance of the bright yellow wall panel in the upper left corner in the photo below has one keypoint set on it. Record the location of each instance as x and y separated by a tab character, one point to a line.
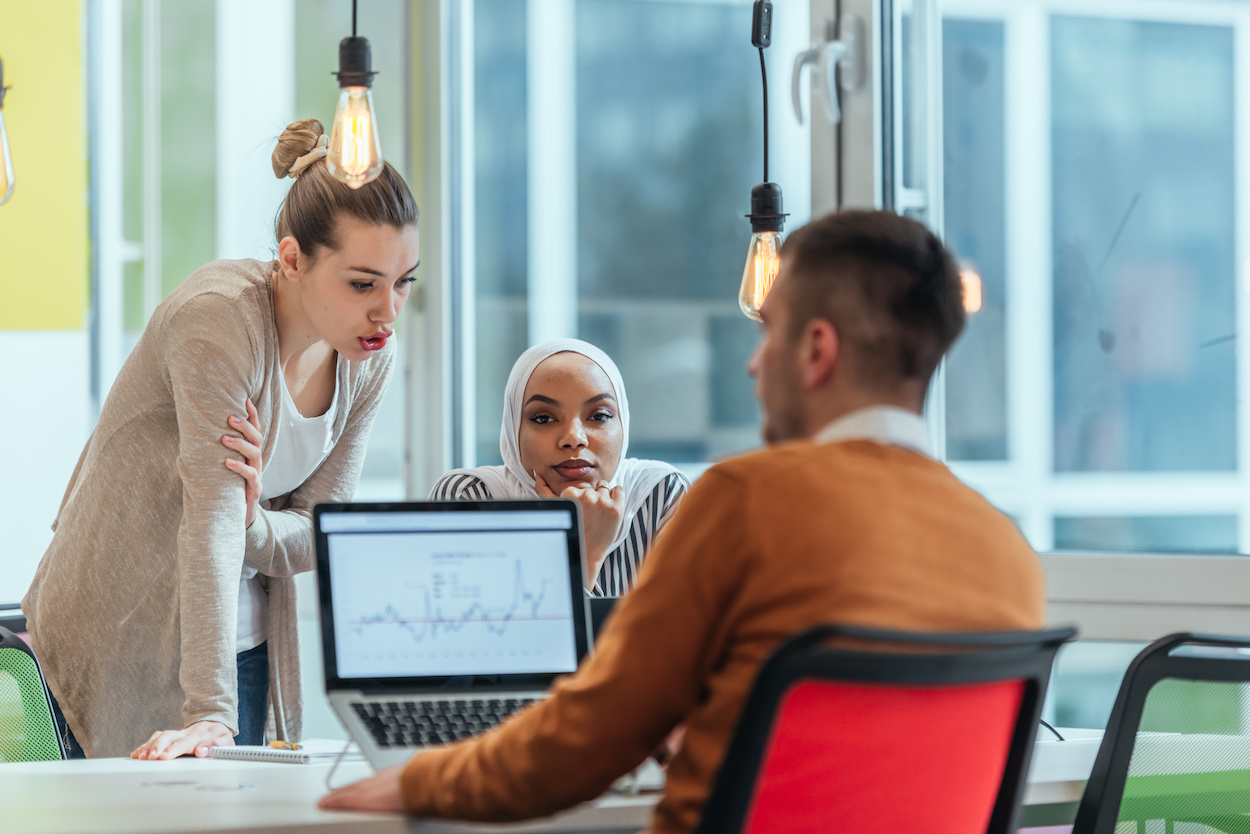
44	233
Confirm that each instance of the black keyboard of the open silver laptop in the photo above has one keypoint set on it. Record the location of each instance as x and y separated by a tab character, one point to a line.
417	723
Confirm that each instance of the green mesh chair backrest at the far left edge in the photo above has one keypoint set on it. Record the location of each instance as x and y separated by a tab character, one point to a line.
27	730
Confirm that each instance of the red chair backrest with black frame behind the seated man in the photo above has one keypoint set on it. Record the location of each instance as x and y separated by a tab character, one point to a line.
886	732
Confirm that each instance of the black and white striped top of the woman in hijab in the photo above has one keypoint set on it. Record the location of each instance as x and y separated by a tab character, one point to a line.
619	571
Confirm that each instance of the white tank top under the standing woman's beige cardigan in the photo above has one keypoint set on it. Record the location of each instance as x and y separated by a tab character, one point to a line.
303	443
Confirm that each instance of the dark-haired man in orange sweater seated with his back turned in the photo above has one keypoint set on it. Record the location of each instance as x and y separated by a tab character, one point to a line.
846	518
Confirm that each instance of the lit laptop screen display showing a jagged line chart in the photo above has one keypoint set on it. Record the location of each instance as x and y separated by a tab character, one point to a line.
438	605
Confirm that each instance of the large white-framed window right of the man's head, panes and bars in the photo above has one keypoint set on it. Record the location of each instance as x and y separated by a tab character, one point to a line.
1091	183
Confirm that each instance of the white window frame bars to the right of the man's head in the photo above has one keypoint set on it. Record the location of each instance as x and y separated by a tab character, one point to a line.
1026	485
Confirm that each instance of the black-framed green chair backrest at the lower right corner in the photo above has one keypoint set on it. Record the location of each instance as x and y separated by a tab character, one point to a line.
1178	745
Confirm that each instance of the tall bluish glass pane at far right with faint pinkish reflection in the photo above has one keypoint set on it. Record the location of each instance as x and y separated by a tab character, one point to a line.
1143	161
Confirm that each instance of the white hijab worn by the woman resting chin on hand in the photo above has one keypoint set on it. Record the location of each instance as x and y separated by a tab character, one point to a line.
637	478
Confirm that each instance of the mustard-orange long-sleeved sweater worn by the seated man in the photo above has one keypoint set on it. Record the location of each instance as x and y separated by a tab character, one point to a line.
762	547
